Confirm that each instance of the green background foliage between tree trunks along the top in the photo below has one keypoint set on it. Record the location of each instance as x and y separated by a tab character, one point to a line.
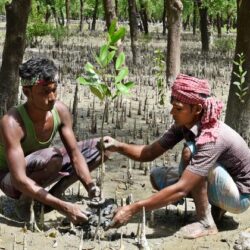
48	17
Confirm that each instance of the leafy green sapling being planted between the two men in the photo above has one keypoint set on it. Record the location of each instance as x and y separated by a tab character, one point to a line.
104	84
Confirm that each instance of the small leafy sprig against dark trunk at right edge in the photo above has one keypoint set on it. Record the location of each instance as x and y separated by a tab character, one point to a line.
240	74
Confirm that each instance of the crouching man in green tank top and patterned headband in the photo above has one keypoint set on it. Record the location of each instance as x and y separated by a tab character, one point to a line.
27	162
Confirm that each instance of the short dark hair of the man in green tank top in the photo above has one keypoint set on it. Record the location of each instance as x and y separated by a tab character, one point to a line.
38	69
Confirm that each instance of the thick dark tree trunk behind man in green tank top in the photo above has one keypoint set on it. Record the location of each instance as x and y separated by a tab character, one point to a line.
17	13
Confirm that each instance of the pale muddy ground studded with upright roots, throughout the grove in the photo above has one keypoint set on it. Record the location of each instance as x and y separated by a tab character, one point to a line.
143	121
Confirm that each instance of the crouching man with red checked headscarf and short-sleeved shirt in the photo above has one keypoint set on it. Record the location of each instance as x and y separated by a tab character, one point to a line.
215	166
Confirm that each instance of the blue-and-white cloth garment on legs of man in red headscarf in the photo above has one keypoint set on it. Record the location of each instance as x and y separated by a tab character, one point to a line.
222	190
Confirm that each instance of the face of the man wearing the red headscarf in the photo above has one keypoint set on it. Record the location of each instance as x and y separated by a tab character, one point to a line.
185	114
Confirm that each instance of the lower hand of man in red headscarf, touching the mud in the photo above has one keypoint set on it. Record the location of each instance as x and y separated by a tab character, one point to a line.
122	216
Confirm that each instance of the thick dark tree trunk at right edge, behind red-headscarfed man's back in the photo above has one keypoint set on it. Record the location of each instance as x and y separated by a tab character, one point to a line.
237	112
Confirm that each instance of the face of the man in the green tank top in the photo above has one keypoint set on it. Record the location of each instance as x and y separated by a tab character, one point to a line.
43	97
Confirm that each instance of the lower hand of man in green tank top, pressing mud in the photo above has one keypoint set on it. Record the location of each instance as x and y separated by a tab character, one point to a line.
76	215
